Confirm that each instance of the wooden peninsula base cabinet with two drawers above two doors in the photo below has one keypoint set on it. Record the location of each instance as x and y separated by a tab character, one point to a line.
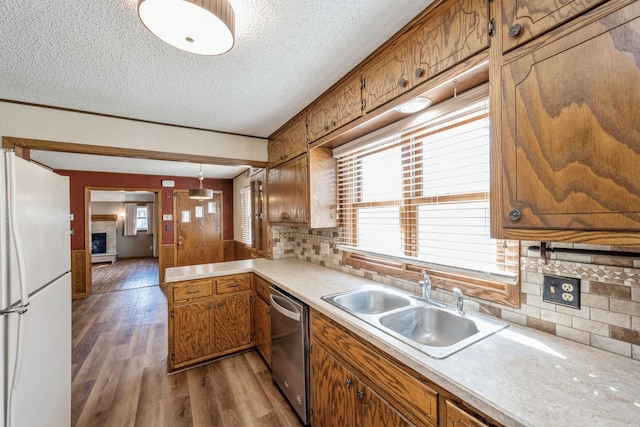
209	318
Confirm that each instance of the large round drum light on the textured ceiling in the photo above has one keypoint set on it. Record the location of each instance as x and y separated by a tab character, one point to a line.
203	27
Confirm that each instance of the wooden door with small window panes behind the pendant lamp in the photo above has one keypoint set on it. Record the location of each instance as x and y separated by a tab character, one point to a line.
198	225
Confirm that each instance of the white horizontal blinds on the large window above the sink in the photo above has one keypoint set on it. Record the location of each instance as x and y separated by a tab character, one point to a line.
419	192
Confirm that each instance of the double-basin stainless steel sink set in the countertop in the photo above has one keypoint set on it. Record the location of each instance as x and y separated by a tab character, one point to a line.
437	332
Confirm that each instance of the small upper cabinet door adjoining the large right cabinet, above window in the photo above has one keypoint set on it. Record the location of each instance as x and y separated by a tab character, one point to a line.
454	32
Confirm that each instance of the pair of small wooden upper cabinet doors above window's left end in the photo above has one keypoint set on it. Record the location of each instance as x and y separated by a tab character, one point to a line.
340	106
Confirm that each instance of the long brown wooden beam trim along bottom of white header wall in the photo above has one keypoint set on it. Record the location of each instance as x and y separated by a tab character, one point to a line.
37	144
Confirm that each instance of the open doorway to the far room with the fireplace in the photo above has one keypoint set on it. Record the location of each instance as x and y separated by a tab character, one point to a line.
122	234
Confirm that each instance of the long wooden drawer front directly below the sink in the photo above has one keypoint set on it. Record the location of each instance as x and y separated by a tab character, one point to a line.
404	390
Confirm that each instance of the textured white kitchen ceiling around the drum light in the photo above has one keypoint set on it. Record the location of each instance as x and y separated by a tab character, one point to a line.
96	56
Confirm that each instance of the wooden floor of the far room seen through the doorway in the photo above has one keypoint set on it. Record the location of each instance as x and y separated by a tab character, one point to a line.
128	273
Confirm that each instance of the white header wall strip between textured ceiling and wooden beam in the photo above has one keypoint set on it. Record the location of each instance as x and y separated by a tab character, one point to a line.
24	121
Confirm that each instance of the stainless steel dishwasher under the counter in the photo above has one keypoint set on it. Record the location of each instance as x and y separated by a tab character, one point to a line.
290	349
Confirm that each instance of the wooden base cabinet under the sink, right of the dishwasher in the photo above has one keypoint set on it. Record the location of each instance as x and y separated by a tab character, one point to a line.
354	383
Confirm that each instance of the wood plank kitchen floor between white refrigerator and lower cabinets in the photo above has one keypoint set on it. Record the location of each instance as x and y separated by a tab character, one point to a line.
119	372
